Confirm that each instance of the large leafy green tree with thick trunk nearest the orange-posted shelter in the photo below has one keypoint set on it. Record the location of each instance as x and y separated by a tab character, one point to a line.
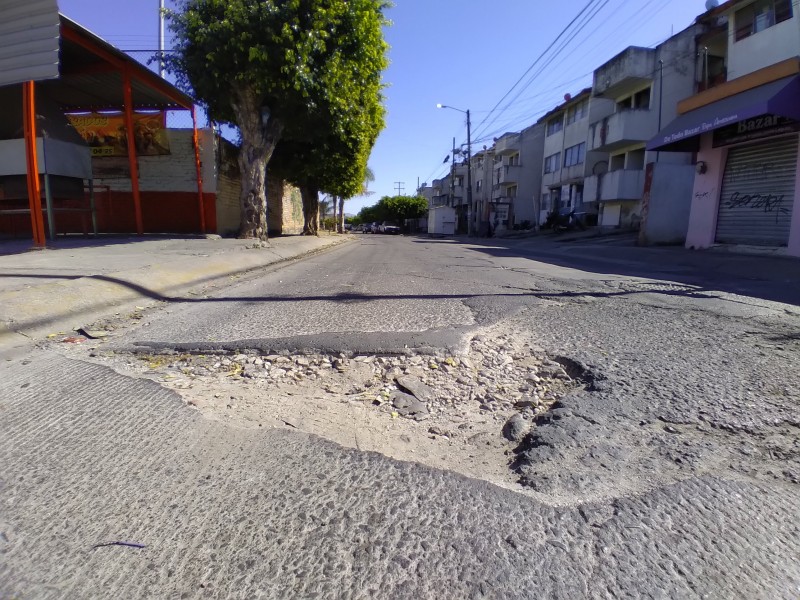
299	69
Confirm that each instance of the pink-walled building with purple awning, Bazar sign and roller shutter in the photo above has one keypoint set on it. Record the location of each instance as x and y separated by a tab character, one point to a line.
743	123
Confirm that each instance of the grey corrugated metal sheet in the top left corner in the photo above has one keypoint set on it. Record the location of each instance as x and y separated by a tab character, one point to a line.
29	41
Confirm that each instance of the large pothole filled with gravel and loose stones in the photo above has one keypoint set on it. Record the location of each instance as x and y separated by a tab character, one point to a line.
465	413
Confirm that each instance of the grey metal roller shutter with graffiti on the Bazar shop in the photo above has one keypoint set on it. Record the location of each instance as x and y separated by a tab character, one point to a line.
758	193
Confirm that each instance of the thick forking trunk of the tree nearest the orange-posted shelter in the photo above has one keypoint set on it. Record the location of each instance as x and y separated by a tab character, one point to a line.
258	142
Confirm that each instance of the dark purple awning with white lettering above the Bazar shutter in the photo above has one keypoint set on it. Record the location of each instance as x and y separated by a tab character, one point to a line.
780	98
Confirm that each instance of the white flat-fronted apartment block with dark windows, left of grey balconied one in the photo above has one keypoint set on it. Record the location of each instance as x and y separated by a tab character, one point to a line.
567	161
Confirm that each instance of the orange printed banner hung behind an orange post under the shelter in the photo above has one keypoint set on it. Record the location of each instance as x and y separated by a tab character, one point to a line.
106	135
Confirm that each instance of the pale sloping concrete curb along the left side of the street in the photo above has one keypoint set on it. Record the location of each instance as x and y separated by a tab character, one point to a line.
37	311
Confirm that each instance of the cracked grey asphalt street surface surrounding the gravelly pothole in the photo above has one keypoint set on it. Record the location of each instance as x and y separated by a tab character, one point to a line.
674	475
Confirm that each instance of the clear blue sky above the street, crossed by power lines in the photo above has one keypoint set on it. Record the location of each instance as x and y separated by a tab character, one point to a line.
467	54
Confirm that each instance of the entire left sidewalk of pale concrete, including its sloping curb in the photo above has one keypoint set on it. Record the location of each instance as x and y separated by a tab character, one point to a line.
76	282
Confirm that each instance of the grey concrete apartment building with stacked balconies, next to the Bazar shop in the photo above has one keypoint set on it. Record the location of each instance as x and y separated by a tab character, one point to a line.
645	85
